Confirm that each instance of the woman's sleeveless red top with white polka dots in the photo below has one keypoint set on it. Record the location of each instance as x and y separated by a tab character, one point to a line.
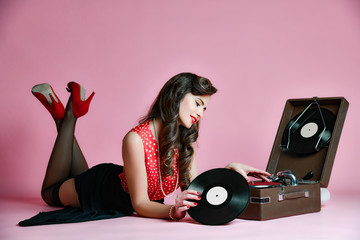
152	166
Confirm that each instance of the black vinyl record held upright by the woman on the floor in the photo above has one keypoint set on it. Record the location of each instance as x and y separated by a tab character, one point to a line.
224	196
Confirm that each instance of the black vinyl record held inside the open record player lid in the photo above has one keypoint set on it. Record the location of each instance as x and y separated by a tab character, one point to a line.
308	133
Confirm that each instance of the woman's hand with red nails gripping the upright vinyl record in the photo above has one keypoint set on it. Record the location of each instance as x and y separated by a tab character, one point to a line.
182	204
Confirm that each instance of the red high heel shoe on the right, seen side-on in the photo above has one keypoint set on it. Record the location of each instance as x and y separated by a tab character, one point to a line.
80	105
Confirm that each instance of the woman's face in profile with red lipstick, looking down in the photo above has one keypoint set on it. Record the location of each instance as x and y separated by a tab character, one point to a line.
192	108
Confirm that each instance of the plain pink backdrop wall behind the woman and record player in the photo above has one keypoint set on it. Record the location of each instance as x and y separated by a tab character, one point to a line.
257	53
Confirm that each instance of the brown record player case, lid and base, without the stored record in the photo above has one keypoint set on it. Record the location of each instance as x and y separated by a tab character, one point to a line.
283	201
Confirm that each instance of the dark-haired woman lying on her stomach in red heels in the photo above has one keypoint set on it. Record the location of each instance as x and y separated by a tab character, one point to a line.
108	190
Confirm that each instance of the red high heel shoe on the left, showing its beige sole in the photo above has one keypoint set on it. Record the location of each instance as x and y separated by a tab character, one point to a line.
48	98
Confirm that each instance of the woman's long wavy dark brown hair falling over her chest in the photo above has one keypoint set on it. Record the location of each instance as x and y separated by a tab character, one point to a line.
174	136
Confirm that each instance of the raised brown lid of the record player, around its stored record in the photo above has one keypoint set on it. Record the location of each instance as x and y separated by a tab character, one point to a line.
319	162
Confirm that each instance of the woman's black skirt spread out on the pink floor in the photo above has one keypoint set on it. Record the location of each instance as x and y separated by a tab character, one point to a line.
100	194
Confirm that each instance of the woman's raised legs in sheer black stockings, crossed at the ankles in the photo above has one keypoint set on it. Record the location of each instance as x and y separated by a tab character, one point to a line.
66	161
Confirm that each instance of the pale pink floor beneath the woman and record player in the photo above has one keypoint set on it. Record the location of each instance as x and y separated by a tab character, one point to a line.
338	219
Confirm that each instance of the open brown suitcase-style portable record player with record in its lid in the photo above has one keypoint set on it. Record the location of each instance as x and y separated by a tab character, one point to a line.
301	159
